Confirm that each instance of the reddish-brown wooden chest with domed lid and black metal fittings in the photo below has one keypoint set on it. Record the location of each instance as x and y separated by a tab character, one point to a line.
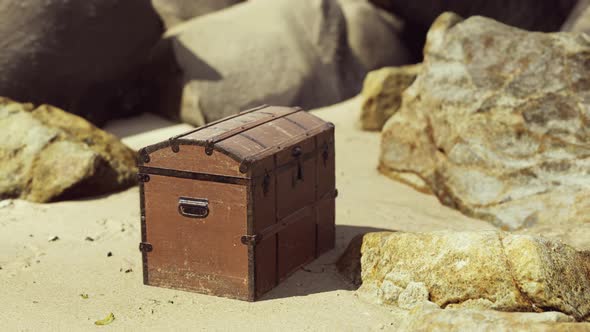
234	207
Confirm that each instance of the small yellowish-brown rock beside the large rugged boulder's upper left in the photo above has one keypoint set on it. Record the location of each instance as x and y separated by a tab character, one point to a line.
382	94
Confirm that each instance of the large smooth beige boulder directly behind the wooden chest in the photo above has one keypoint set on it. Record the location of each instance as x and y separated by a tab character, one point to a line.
276	52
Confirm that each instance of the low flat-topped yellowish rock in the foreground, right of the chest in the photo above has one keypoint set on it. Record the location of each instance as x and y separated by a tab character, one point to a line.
481	270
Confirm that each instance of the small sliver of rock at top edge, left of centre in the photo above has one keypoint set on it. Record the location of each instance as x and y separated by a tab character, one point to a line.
174	12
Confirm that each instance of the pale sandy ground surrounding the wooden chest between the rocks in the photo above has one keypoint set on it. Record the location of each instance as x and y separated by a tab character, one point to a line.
52	253
